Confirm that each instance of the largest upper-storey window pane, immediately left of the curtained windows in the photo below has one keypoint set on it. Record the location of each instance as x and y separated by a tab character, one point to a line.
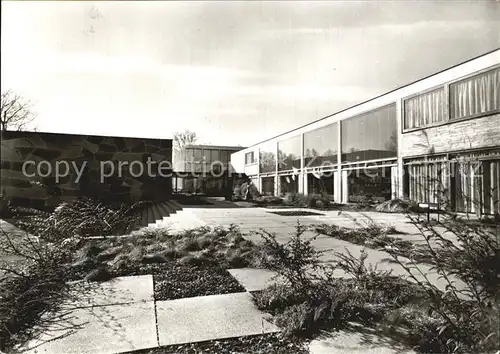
370	136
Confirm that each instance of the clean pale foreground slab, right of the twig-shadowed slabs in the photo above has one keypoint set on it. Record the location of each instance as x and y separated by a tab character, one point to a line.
209	317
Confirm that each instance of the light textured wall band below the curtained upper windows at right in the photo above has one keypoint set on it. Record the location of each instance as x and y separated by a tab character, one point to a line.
469	134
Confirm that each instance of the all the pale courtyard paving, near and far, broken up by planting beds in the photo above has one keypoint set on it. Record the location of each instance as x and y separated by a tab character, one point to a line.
122	315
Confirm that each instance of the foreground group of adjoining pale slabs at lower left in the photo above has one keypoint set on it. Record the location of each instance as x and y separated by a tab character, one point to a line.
121	315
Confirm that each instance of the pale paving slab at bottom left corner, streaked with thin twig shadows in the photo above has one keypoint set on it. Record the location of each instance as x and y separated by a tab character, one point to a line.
101	329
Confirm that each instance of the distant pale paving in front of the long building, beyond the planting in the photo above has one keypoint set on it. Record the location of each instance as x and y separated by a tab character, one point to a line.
250	220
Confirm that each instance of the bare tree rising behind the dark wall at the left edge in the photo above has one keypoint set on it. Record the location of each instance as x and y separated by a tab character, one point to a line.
17	112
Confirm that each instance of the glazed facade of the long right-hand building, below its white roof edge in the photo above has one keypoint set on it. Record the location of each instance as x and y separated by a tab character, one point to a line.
371	138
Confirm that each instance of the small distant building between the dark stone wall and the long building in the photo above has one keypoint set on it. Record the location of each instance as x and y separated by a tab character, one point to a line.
202	168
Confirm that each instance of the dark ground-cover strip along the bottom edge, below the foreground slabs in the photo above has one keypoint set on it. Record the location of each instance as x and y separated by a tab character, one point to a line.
264	344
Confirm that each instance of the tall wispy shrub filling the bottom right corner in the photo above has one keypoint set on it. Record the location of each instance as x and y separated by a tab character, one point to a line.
465	319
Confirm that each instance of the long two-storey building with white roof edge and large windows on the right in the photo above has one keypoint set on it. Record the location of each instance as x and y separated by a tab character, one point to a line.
436	140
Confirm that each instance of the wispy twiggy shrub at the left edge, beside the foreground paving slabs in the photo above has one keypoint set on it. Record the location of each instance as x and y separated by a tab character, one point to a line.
30	288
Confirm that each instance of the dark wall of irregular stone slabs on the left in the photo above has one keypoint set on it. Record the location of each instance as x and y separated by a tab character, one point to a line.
93	168
